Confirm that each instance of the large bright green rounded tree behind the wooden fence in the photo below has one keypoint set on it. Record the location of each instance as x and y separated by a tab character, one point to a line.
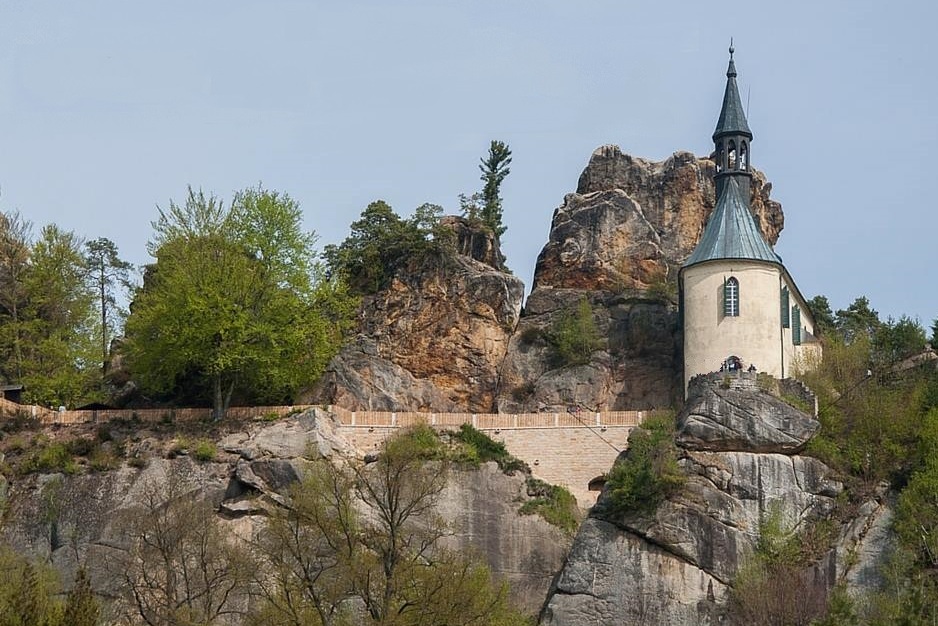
233	303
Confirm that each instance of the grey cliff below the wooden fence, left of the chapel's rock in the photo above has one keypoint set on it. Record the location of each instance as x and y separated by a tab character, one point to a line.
72	519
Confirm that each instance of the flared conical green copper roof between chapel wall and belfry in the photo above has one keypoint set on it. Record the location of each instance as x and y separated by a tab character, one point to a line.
731	232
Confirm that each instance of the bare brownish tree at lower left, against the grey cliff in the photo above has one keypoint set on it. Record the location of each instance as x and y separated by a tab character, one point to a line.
180	568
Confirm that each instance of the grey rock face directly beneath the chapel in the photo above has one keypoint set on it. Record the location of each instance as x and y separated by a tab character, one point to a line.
677	564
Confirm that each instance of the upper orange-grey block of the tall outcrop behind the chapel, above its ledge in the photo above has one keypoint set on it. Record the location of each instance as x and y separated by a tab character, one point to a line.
632	222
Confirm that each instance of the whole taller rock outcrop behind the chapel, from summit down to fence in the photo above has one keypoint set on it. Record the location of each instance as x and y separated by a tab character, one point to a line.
618	242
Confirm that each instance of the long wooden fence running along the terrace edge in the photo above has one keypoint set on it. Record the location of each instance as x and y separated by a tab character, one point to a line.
364	419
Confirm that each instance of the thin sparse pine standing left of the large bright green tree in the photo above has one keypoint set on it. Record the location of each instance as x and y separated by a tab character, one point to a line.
108	275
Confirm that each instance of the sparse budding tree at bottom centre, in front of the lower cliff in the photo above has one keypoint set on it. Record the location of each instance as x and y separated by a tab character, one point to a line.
332	561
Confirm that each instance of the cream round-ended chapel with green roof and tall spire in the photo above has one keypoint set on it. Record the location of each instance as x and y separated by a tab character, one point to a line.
740	306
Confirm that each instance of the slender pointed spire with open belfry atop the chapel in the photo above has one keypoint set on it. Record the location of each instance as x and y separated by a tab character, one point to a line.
732	137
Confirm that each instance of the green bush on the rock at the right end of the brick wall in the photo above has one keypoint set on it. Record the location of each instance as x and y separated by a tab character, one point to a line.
649	472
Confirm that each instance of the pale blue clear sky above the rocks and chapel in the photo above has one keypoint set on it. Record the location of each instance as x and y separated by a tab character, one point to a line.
110	109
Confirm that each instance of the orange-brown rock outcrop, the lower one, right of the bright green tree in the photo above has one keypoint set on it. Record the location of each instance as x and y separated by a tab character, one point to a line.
434	339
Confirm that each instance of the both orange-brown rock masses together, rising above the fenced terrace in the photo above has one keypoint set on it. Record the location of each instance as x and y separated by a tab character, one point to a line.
447	334
